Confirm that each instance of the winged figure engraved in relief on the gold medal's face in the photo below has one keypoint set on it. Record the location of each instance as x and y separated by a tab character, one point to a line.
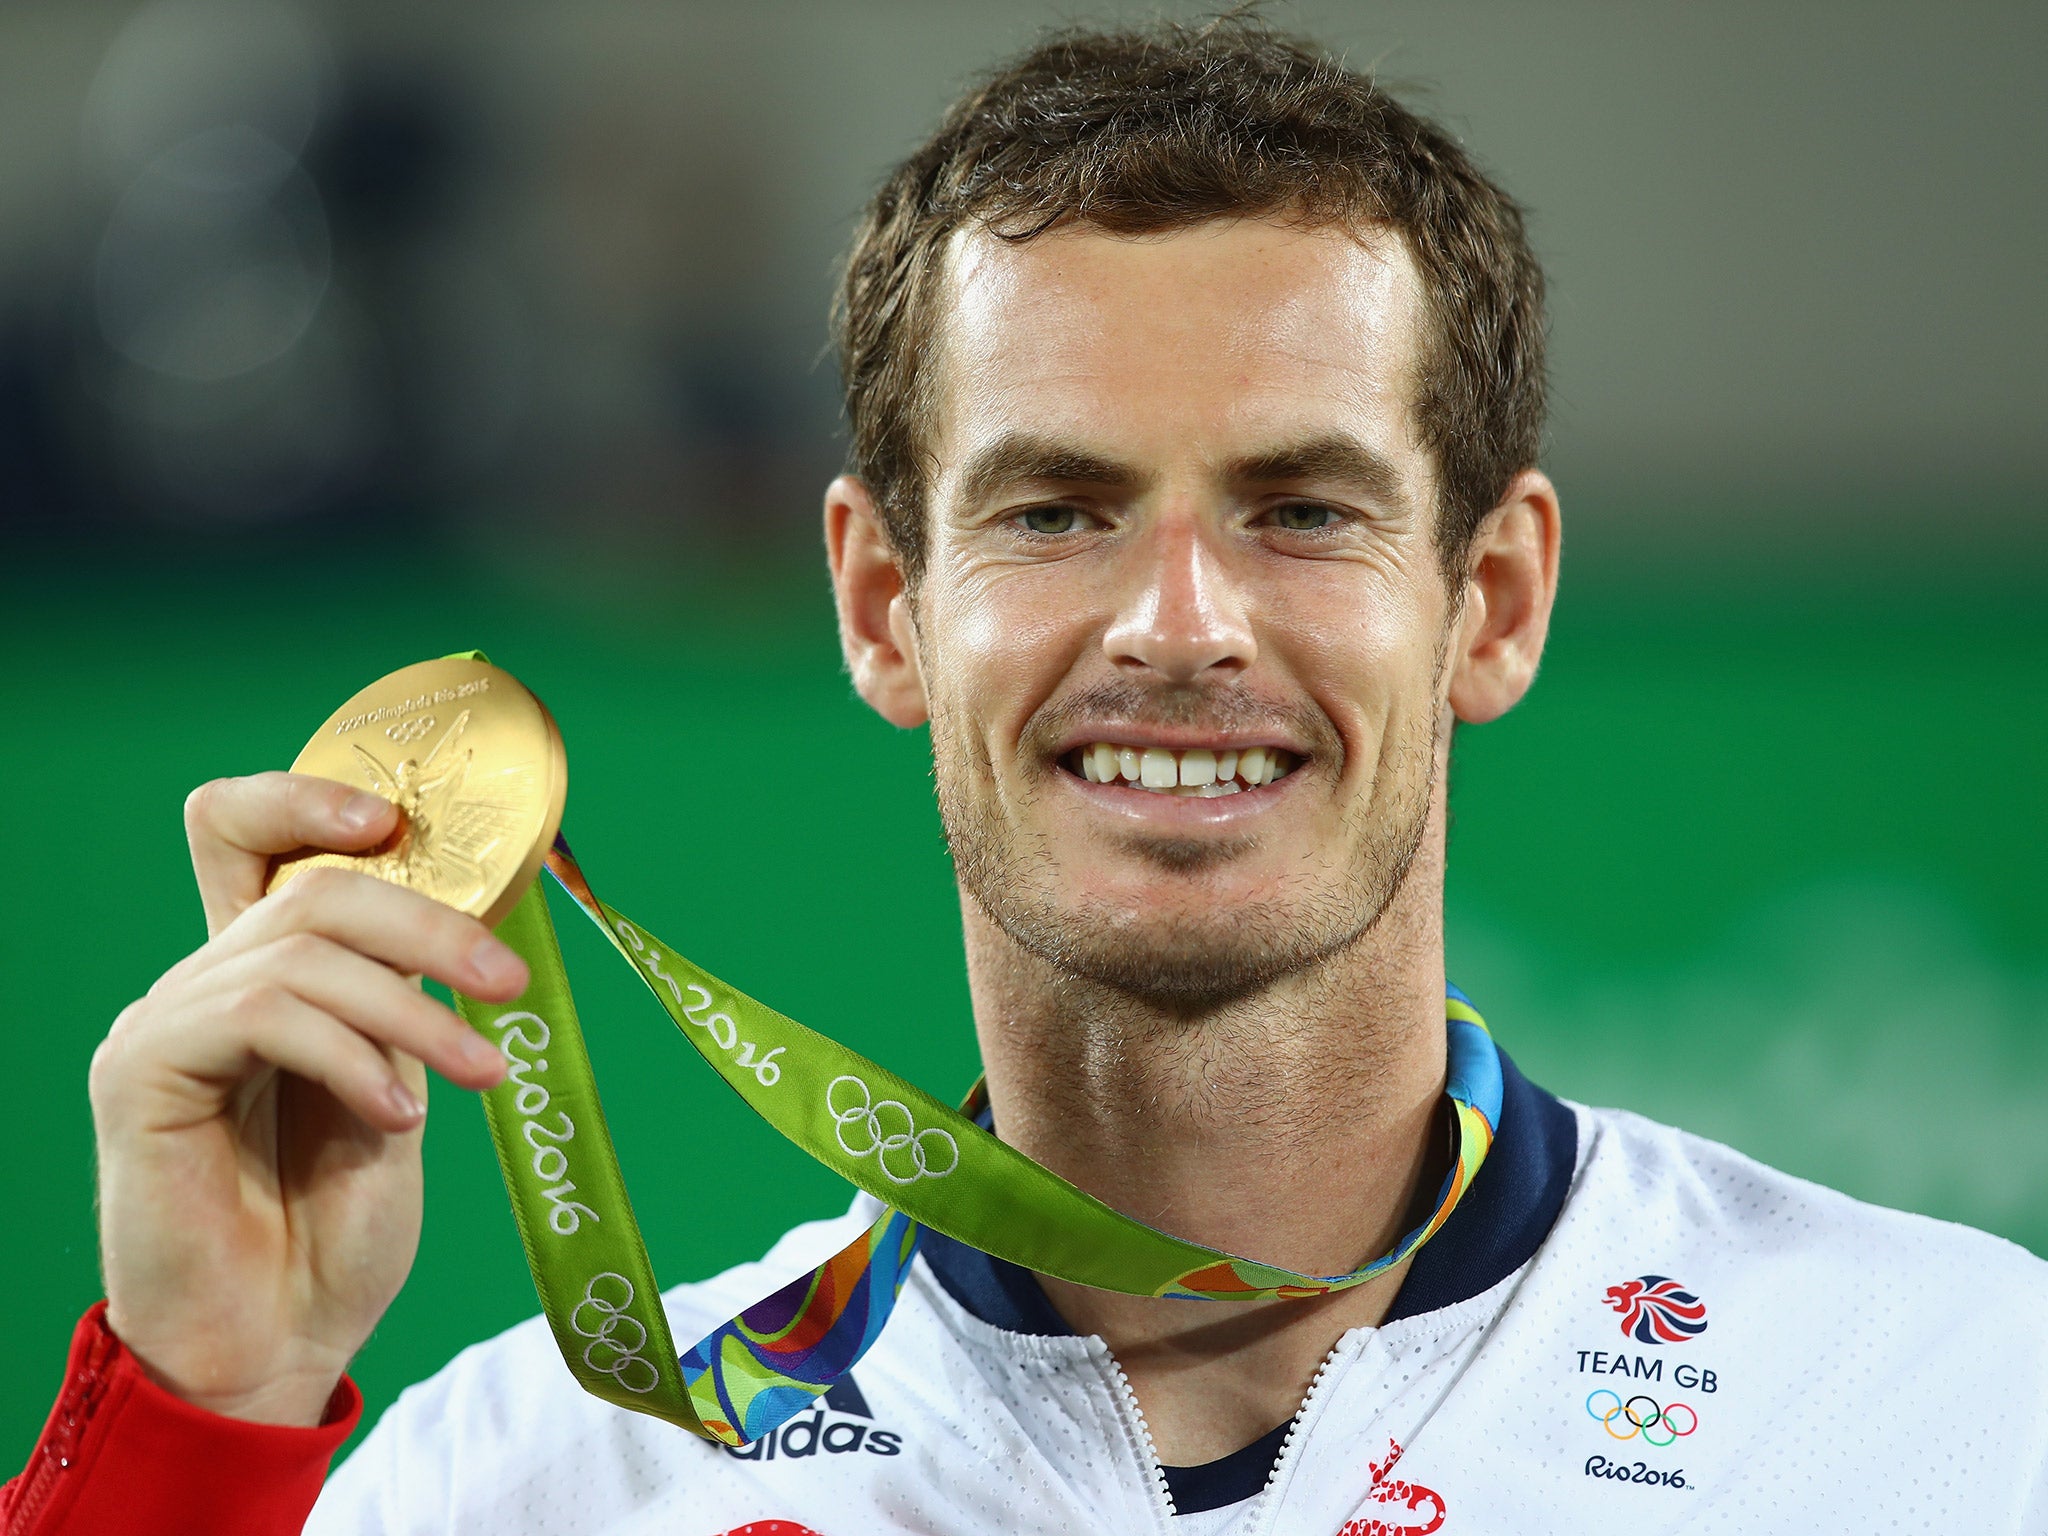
452	824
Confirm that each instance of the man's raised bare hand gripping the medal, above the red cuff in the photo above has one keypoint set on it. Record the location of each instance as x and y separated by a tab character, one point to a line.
259	1111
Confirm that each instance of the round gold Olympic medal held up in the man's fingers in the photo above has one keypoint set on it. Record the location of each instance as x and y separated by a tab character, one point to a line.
476	769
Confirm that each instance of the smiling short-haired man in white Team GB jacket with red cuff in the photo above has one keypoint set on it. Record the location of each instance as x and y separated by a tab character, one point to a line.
1195	394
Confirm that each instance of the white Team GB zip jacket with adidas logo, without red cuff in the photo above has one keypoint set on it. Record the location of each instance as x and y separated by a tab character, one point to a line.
1861	1371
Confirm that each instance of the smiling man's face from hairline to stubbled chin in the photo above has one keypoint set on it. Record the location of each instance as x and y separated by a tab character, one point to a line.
1183	523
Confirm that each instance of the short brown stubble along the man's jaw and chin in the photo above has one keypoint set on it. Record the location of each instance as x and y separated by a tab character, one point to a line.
1187	968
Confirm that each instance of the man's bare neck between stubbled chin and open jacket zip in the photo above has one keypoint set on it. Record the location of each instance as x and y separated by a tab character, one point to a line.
1291	1127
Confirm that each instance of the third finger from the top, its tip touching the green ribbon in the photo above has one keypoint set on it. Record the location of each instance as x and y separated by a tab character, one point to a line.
366	996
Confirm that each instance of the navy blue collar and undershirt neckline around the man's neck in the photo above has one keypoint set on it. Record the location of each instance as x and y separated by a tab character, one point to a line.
1496	1230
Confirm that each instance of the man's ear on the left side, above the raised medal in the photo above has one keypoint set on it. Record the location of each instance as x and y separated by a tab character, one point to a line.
876	622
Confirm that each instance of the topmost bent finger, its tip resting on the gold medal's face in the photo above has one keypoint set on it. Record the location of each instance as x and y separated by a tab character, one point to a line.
237	824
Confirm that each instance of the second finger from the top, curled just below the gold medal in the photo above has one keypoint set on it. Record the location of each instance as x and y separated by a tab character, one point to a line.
386	923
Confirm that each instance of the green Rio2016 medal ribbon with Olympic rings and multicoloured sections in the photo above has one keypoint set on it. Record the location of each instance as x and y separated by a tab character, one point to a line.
929	1164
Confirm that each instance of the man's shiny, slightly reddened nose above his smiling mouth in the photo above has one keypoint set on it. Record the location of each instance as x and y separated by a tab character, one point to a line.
1183	615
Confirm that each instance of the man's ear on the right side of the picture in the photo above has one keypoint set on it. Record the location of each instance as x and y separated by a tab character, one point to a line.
1508	591
